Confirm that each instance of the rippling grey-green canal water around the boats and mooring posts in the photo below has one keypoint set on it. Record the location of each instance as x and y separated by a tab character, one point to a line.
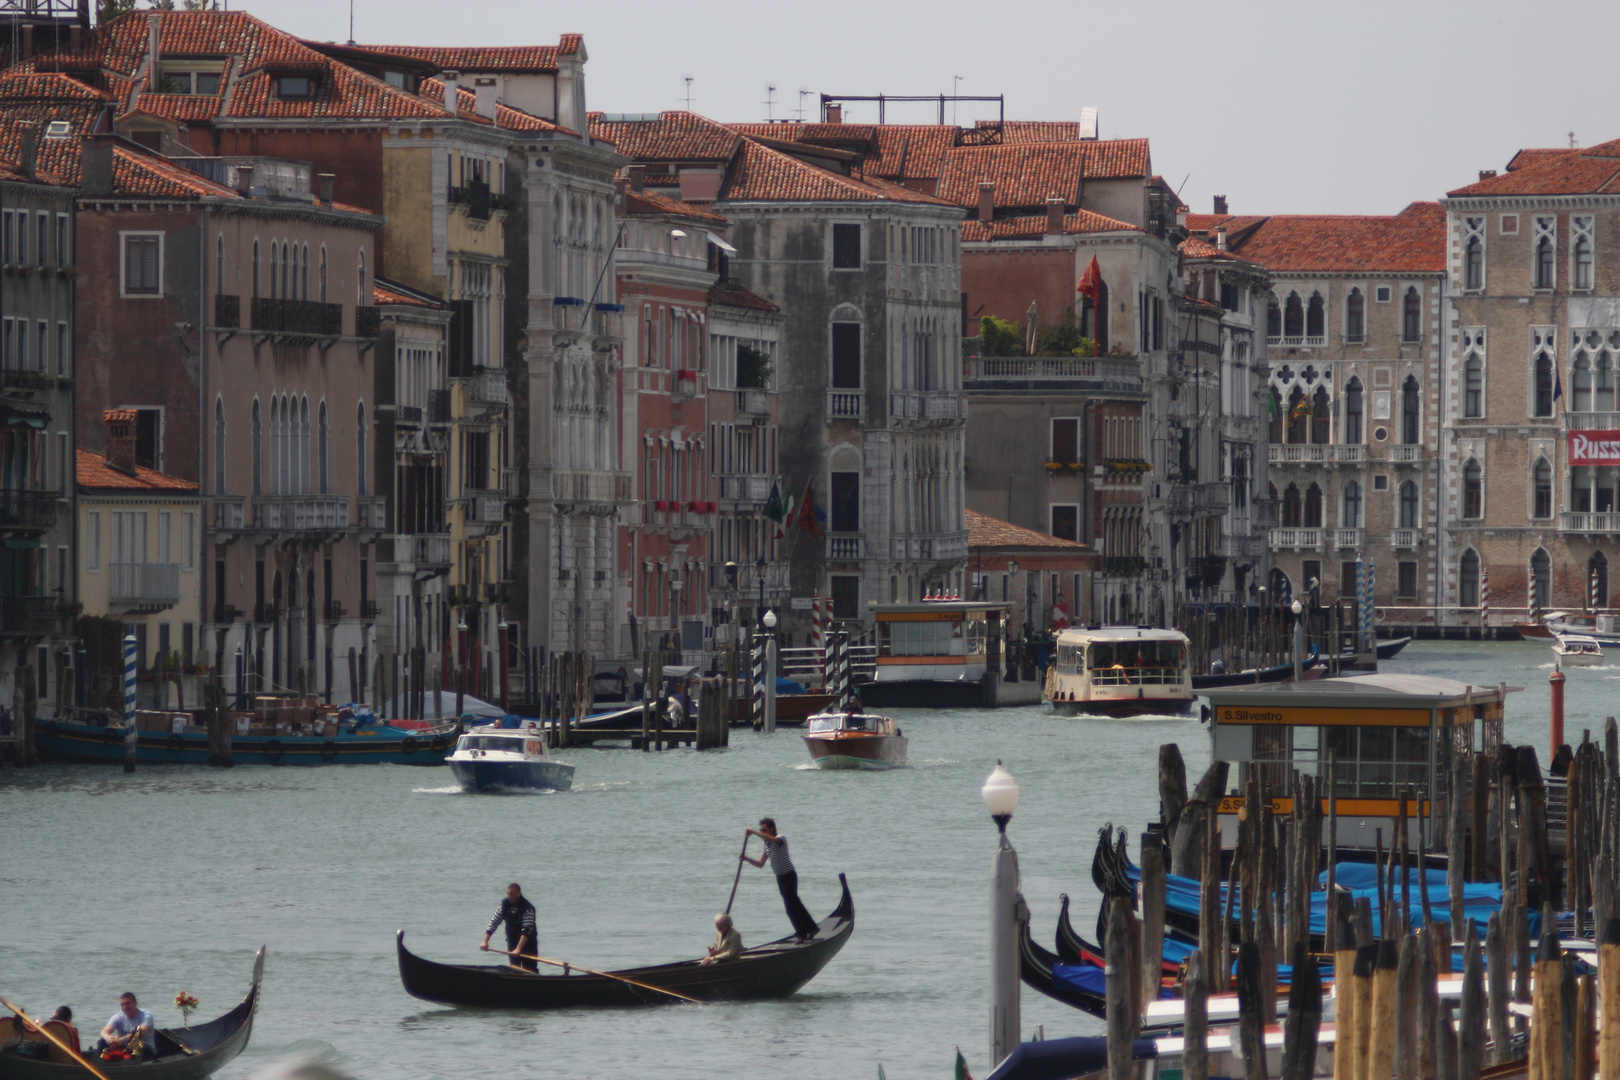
169	880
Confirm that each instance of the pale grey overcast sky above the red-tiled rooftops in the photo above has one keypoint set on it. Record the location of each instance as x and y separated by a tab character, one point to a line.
1298	108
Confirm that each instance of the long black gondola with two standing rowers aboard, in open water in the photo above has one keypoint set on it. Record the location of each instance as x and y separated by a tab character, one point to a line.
770	971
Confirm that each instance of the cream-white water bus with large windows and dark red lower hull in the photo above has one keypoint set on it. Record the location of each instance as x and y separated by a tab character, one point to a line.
1120	671
